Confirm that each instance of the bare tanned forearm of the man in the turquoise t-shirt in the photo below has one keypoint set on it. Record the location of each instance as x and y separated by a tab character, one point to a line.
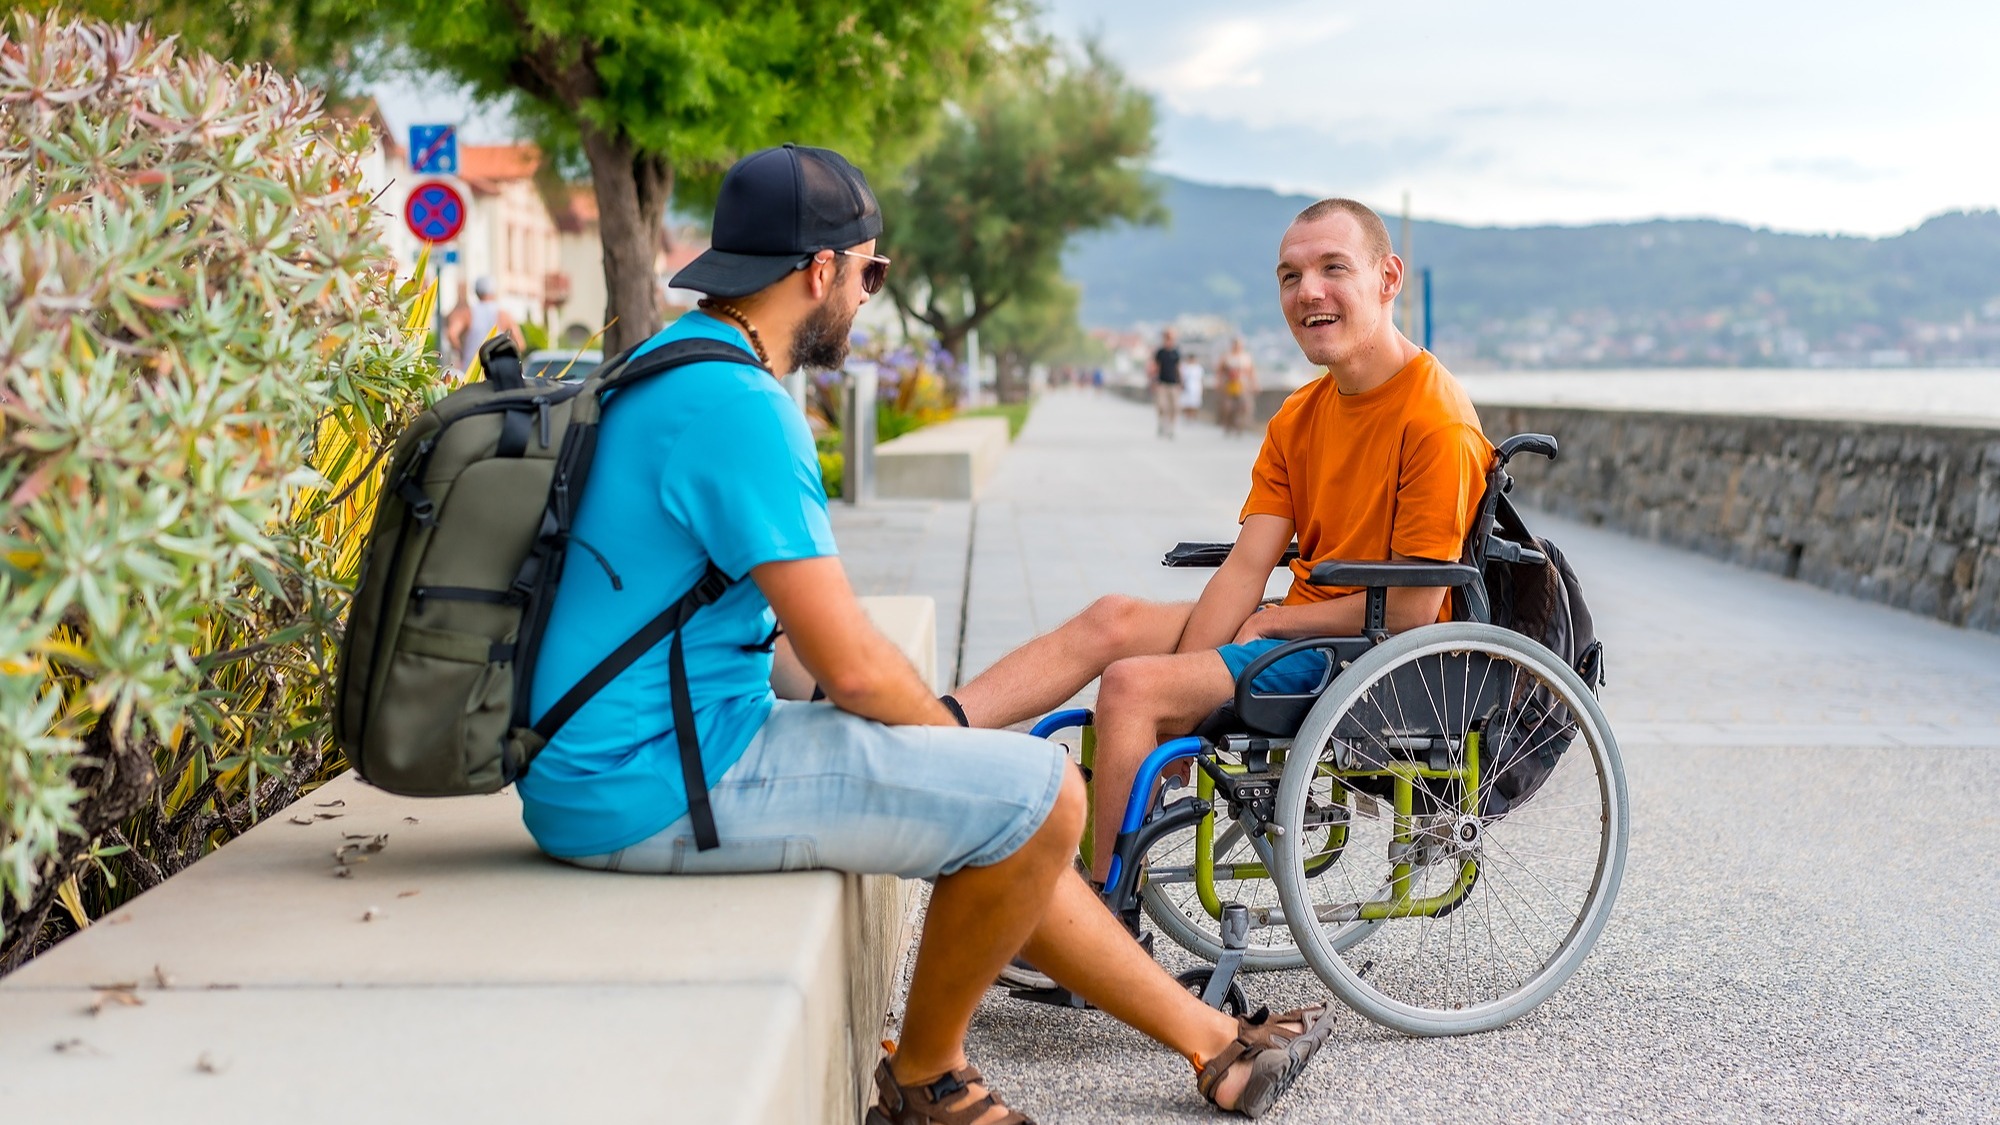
855	666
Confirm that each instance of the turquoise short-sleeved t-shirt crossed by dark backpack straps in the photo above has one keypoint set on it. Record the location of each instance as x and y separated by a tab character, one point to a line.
707	461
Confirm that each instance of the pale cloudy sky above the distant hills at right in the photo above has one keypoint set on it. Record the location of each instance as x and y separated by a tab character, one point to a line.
1831	115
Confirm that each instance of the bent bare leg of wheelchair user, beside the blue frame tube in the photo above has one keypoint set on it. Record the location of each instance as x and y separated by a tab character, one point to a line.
1143	704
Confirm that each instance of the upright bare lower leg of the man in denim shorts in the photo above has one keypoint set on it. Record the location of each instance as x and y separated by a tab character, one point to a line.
979	918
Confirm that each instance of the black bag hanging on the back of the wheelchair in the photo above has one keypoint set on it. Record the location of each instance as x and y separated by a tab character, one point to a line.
1543	602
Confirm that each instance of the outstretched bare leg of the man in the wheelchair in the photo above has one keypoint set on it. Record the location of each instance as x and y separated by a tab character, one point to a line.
1047	672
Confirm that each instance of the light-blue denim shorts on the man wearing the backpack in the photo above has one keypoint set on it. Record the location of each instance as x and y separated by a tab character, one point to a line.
821	788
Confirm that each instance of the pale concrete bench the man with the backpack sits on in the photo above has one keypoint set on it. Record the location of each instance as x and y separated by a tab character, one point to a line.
461	976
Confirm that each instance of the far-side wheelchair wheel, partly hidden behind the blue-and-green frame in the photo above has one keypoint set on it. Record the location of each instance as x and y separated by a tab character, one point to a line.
1175	904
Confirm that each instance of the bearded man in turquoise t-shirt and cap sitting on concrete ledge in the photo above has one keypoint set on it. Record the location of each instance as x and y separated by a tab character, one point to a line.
713	463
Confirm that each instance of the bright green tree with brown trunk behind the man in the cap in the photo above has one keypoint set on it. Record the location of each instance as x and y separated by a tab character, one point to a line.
653	87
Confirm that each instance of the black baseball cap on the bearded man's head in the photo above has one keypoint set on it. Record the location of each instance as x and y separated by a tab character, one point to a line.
777	209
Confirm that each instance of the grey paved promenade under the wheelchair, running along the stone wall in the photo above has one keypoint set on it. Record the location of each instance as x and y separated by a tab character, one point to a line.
1811	918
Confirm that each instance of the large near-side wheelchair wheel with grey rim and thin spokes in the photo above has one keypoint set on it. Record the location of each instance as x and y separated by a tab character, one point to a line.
1487	904
